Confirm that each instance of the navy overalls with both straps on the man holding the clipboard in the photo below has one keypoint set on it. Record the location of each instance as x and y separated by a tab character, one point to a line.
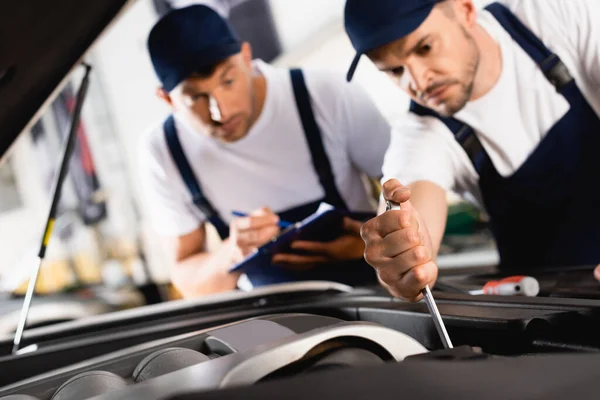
356	272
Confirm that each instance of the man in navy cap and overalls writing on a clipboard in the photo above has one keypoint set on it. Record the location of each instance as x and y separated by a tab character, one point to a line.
254	139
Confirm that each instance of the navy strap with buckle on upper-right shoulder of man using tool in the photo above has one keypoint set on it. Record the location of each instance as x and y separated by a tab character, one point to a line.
550	64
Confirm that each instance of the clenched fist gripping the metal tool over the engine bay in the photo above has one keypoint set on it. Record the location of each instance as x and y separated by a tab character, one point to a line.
399	247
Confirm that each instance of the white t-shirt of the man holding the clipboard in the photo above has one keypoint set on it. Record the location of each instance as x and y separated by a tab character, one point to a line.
272	165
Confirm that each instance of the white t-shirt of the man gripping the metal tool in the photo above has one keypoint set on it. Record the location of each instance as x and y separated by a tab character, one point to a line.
514	116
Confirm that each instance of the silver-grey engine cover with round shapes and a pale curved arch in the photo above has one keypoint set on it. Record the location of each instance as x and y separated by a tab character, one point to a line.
249	351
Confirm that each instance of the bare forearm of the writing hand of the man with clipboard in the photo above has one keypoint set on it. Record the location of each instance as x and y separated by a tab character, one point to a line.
205	273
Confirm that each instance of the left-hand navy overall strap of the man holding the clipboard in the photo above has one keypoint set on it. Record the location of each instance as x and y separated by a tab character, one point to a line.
190	180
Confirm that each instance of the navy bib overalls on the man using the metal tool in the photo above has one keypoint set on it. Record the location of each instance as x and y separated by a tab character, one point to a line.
546	214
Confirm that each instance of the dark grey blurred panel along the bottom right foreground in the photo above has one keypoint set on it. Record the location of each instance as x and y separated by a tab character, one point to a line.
548	377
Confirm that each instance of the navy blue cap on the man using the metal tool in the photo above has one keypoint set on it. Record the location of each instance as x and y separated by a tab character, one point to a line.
374	23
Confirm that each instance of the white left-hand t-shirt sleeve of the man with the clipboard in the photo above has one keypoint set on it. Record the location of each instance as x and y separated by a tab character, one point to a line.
171	213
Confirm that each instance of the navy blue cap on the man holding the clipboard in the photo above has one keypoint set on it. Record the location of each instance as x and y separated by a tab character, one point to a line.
189	39
